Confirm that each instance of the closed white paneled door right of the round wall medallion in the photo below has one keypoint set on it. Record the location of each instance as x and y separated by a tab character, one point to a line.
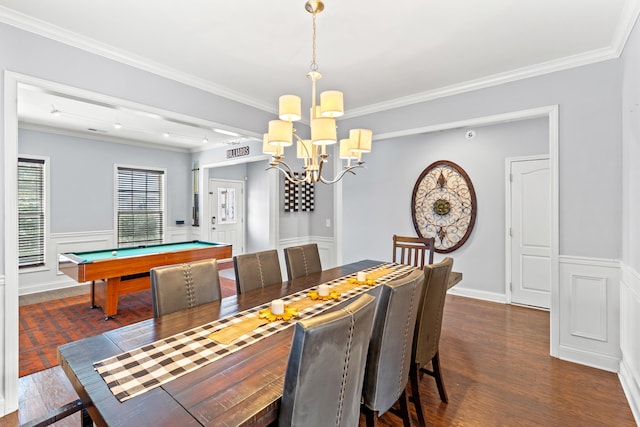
530	232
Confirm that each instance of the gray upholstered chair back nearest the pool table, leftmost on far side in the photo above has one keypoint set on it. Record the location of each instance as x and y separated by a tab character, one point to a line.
179	286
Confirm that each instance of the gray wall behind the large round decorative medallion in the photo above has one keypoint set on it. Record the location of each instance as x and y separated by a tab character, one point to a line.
378	204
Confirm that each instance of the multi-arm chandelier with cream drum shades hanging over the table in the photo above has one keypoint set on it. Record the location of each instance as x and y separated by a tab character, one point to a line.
322	121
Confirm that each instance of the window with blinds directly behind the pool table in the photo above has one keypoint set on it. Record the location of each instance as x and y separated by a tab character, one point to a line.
140	211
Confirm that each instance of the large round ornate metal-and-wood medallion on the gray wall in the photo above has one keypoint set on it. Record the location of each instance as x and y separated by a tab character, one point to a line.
443	205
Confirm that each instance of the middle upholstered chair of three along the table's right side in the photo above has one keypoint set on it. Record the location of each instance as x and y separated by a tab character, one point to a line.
388	362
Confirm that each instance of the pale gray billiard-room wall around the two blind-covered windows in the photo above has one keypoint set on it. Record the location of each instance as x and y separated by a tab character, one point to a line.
82	178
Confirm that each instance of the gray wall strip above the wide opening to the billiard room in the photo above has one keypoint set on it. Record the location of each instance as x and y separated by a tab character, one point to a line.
36	56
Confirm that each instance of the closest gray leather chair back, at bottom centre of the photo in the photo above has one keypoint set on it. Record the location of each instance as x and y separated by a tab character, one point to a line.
323	380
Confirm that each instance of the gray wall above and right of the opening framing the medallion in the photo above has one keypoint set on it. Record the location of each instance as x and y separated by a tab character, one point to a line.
590	157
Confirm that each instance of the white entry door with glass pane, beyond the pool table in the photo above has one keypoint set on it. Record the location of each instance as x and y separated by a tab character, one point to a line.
226	207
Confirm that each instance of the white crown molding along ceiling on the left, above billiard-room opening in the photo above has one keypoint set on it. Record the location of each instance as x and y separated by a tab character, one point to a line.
36	26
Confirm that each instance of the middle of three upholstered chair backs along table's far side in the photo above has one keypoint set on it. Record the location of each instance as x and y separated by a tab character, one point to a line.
257	270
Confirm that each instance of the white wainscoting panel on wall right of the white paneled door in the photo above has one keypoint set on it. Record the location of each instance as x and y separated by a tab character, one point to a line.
590	312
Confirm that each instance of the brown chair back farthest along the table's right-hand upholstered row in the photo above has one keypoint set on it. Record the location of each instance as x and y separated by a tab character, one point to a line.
429	322
